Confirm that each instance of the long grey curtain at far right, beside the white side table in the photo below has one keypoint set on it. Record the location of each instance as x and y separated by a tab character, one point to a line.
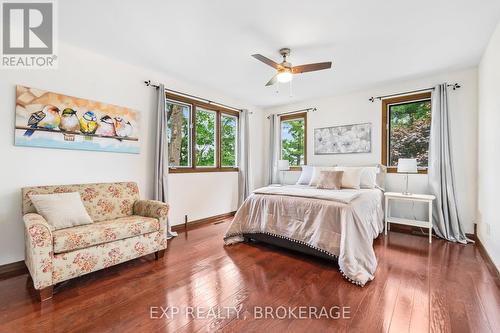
446	218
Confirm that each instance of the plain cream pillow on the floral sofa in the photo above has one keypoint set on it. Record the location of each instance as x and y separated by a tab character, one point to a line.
61	210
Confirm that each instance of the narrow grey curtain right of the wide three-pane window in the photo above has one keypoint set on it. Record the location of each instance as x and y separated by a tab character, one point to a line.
243	154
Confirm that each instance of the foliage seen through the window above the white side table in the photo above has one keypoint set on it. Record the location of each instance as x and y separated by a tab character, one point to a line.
409	132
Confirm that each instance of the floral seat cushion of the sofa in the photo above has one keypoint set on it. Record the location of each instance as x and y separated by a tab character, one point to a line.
80	237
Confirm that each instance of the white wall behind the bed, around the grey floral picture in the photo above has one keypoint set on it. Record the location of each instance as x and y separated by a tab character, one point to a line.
355	108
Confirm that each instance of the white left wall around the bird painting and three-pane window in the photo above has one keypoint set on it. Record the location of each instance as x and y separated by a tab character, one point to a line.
89	75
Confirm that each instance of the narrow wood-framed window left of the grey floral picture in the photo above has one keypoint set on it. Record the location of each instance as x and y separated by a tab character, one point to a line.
293	139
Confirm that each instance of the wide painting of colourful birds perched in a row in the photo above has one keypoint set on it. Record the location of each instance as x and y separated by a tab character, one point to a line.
53	120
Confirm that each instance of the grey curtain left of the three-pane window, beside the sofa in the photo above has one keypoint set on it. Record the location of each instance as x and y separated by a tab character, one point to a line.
161	154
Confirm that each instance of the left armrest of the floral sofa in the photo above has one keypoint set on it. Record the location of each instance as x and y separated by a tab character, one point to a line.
39	249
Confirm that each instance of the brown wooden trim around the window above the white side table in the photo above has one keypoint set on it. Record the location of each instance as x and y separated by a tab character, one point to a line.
385	125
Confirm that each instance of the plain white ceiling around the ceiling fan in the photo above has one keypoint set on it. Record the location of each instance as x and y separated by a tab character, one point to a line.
210	42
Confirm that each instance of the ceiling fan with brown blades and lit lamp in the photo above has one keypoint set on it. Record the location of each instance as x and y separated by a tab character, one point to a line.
285	68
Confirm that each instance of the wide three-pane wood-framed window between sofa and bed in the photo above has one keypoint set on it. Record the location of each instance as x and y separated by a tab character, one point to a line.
202	137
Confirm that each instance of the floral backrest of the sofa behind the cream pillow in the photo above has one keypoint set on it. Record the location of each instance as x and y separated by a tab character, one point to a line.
103	201
